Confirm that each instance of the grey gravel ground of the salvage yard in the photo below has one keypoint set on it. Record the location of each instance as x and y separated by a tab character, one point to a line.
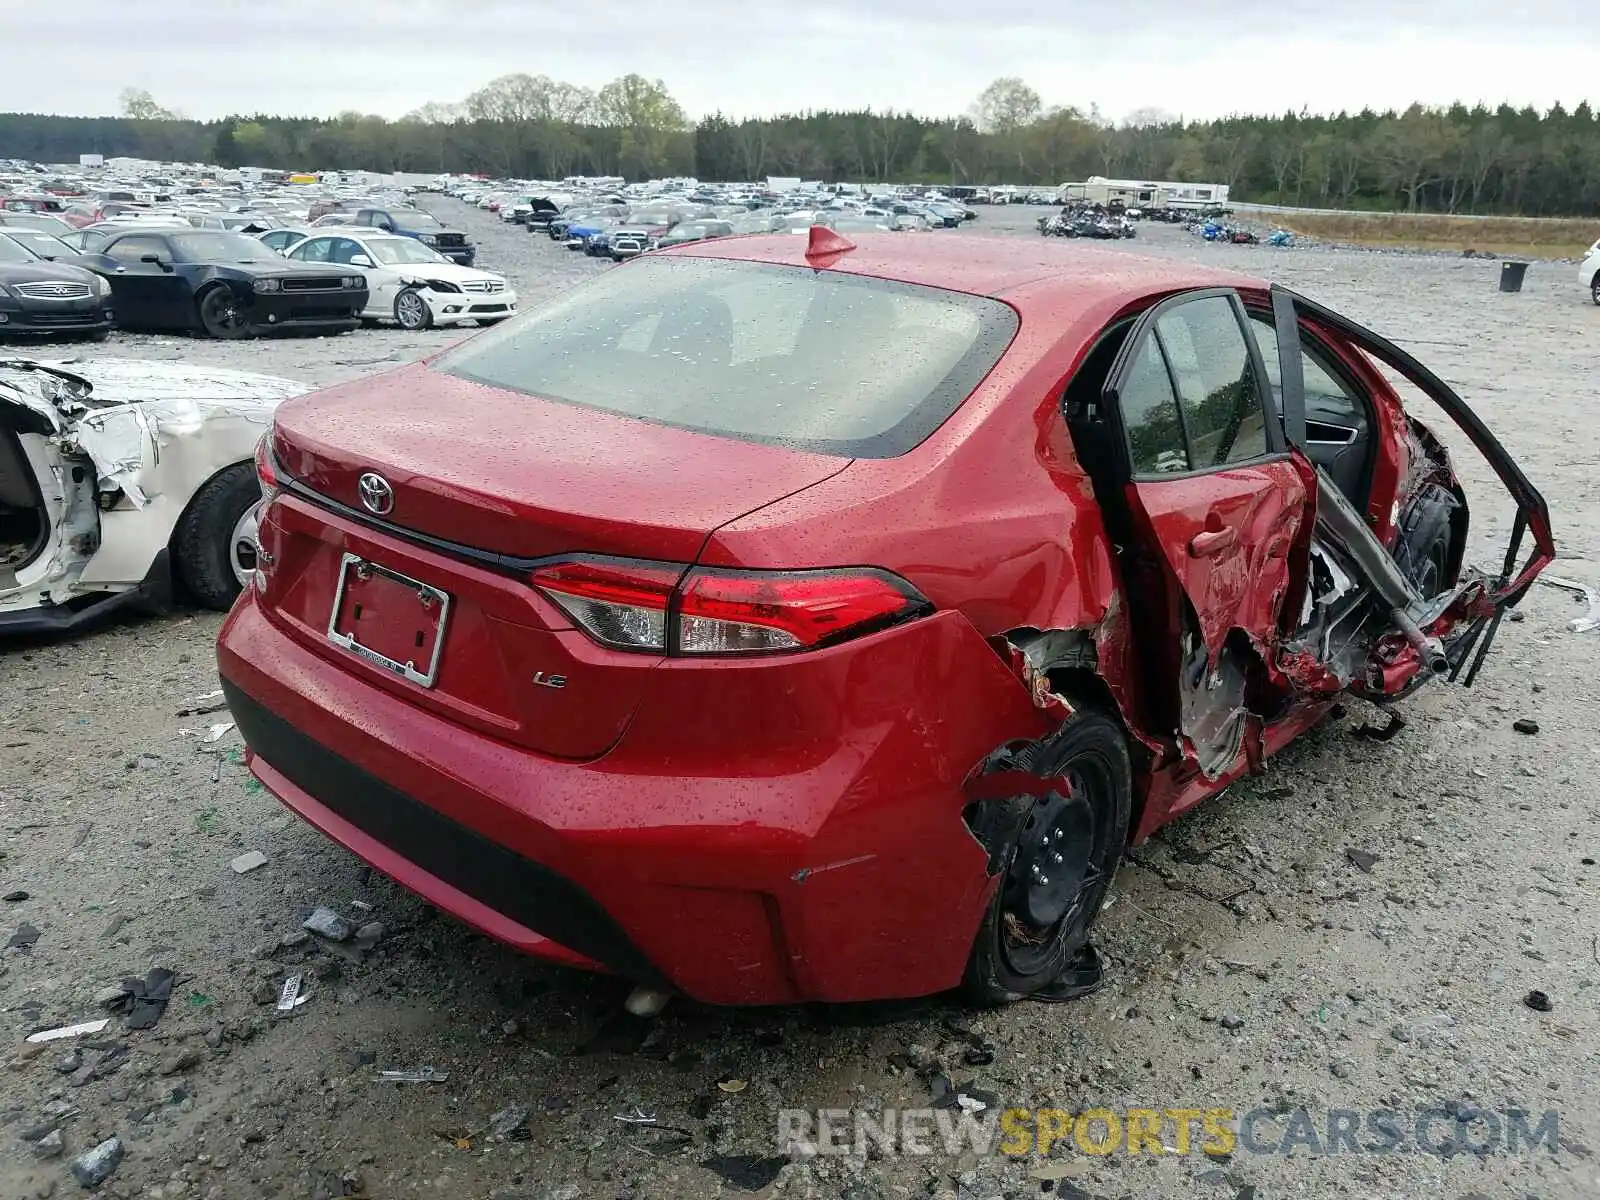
1255	961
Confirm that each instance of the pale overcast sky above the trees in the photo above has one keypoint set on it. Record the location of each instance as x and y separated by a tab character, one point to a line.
209	58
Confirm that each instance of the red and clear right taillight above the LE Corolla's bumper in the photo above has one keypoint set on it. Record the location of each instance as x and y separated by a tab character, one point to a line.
673	610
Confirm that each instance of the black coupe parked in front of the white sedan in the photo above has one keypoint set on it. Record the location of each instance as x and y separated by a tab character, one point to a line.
225	286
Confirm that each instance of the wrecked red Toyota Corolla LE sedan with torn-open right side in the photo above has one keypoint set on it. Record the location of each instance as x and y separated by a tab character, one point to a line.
777	622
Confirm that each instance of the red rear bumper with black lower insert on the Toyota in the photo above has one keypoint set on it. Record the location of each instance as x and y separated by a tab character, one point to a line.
750	857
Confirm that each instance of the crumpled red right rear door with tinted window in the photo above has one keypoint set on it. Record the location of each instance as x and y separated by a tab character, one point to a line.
1214	494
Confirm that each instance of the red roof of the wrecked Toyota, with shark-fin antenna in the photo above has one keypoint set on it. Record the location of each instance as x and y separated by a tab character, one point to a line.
1049	273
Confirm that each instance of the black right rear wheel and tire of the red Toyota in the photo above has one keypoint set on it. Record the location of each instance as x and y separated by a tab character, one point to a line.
1036	929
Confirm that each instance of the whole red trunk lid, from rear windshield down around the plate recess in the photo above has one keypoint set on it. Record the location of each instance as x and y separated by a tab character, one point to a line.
514	476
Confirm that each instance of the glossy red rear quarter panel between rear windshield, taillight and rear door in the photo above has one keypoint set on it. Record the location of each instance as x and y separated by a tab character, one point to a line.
991	516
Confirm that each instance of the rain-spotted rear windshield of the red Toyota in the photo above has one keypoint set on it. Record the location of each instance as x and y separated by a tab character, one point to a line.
809	359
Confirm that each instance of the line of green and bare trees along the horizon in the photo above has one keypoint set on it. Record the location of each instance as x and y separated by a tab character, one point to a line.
1425	159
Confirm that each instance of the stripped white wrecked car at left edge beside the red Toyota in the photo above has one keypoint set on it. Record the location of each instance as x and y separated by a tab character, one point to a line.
124	481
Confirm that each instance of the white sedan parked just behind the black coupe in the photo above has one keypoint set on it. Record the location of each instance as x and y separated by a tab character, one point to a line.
410	284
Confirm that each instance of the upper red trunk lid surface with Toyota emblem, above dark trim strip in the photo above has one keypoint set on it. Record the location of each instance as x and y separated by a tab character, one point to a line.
529	478
